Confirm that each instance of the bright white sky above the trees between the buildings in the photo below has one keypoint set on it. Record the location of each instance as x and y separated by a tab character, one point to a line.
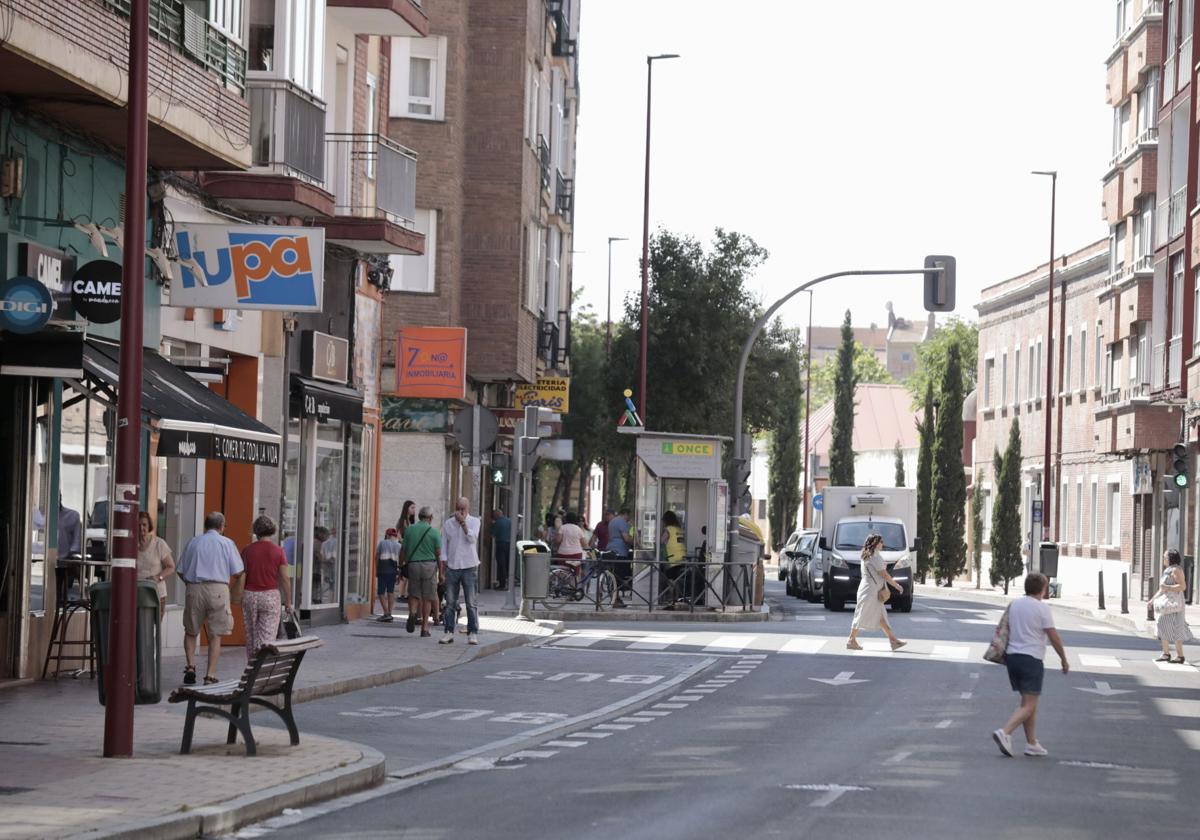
844	136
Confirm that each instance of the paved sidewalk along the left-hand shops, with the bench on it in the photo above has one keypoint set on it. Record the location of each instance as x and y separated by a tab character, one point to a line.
57	784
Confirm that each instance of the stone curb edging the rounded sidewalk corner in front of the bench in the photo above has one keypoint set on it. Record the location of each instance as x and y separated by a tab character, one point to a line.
229	817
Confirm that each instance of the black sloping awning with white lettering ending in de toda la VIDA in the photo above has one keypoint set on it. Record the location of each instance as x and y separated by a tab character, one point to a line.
194	423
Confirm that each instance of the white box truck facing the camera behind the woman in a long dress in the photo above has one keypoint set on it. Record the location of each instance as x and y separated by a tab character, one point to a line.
848	517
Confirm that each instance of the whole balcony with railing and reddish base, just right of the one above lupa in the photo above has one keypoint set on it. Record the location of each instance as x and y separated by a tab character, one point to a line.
374	182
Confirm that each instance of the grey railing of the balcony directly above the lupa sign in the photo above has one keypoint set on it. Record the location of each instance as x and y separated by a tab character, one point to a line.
287	129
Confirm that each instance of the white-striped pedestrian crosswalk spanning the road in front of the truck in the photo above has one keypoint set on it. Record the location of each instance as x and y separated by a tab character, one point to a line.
749	645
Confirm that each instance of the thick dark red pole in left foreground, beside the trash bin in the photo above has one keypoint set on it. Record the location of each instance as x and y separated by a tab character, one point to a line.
121	674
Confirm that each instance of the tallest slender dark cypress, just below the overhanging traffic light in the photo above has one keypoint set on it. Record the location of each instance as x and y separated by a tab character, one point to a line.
951	500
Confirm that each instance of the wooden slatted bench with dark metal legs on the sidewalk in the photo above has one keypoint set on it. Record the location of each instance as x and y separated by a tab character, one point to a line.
269	675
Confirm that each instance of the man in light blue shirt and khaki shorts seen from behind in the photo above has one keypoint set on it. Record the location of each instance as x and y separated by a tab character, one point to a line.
208	563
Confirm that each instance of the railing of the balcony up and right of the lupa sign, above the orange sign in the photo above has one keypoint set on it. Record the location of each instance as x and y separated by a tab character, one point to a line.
373	177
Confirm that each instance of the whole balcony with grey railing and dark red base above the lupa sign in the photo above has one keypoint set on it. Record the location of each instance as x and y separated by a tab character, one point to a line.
287	134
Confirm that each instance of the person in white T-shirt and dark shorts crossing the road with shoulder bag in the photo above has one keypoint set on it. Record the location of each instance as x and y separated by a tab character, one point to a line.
1030	626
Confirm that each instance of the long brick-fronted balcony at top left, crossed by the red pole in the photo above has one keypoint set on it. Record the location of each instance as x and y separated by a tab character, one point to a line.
68	62
